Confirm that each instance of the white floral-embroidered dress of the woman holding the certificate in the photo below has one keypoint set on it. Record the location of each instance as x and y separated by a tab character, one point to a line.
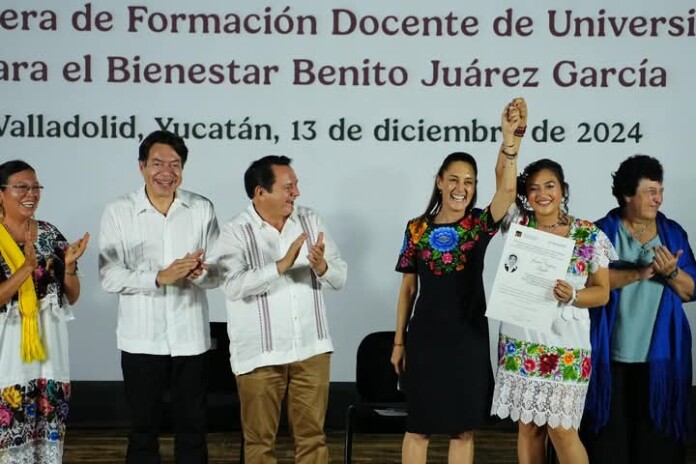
543	377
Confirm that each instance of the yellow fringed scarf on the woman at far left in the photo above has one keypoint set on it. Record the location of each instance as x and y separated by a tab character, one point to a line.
32	349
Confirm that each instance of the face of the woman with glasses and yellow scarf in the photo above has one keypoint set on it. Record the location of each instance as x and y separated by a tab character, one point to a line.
20	197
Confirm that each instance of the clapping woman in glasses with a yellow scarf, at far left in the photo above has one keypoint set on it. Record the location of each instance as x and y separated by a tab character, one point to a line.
38	281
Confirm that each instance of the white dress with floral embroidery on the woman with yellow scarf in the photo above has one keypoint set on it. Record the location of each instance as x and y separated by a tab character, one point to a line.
34	396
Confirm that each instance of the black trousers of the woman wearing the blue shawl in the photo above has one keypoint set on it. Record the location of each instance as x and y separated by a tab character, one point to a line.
630	436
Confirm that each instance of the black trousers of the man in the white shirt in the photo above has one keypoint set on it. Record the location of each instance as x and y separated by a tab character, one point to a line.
146	378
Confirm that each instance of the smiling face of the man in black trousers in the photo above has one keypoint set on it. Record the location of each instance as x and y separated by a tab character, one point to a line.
162	172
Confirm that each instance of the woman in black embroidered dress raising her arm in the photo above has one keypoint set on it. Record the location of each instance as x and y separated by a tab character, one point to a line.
444	360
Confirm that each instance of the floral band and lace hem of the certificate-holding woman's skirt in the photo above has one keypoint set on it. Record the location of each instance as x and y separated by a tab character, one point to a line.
543	384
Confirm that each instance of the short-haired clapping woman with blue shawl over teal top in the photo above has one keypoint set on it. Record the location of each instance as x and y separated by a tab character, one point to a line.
638	408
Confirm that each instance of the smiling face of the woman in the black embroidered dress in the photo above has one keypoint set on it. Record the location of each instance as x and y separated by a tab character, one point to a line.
458	186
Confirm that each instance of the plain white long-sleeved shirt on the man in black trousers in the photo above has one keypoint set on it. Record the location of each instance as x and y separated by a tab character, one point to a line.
136	241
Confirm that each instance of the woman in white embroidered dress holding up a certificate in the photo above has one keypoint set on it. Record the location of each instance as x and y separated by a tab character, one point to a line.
542	377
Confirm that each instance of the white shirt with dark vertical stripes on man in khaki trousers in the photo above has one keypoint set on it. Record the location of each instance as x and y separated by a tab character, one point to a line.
275	319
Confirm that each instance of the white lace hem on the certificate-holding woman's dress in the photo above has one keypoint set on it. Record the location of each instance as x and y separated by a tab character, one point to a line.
542	402
